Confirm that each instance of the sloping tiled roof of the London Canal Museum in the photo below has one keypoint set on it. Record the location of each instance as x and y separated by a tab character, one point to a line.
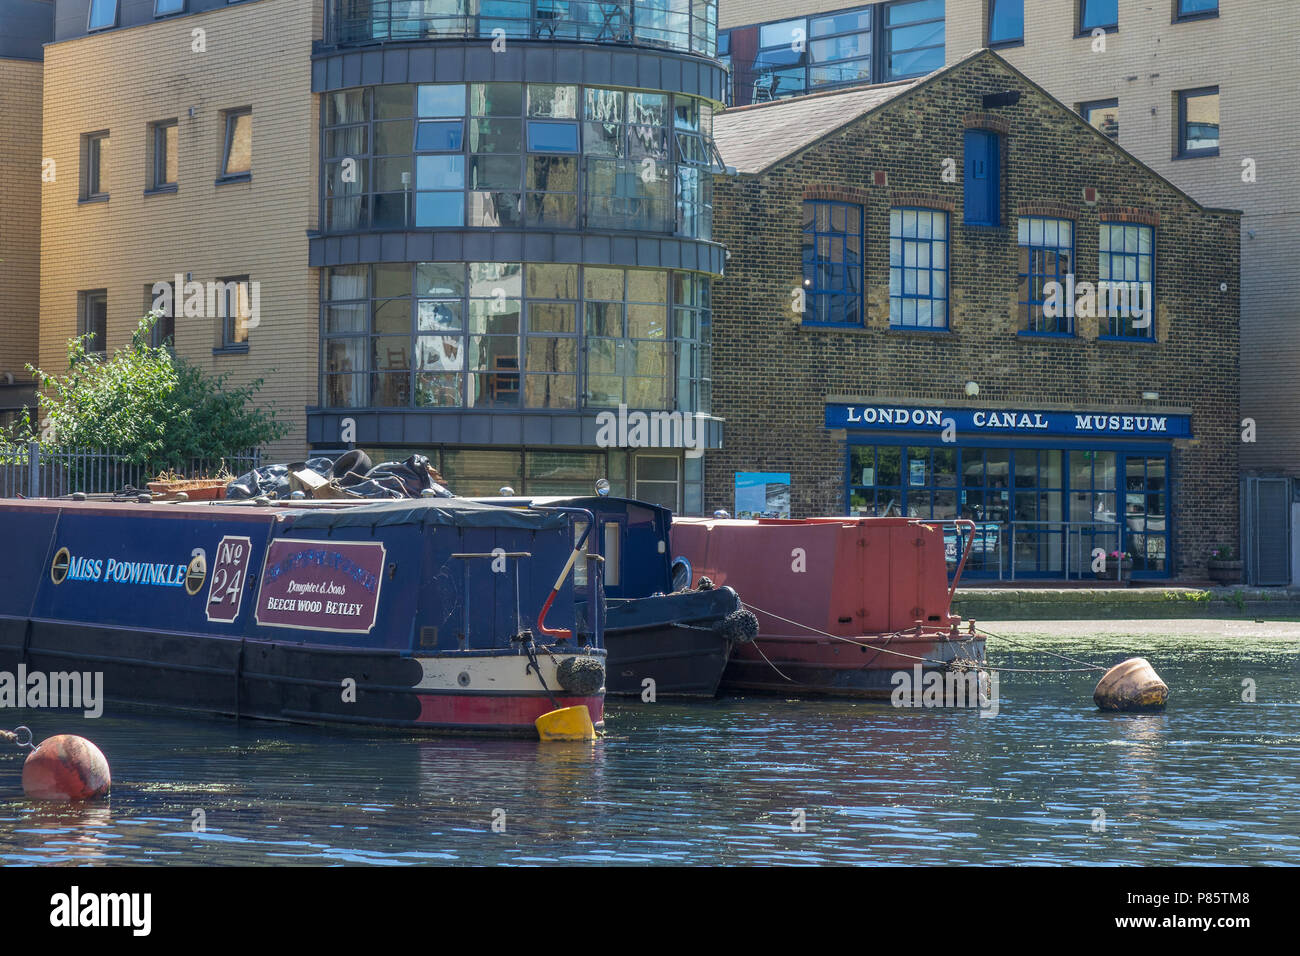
753	139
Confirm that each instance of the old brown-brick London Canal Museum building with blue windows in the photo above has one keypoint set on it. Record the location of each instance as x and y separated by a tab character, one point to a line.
887	335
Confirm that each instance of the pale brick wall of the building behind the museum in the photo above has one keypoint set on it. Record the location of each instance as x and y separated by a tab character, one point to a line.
1250	53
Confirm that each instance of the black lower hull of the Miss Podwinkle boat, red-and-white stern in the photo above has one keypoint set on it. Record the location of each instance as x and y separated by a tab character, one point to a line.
293	684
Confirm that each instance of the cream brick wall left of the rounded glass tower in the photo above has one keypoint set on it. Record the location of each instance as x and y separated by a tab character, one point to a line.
258	55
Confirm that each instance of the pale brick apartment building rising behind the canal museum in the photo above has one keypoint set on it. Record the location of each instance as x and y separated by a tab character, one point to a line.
1207	93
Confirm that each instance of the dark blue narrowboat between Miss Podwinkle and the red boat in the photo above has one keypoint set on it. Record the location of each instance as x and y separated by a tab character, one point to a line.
664	638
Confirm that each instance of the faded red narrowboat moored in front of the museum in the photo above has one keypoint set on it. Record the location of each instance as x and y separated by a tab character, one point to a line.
844	604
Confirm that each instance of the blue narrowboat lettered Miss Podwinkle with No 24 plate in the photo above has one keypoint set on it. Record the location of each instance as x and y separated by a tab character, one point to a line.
414	615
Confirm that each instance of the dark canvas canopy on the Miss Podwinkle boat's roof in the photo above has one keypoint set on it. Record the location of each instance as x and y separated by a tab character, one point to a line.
453	513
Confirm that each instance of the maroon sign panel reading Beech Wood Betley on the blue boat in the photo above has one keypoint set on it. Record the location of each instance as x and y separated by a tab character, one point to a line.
322	586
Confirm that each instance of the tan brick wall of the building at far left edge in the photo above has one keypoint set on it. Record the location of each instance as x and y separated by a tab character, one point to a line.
20	215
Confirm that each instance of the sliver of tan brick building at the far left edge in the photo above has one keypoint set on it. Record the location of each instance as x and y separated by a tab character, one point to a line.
25	25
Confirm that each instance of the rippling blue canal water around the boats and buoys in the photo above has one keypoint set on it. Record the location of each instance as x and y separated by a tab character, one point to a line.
1048	780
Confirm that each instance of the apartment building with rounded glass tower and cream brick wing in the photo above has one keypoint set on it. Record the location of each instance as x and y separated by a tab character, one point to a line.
473	230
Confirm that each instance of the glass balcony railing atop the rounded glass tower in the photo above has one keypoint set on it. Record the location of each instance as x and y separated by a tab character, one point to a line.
688	27
